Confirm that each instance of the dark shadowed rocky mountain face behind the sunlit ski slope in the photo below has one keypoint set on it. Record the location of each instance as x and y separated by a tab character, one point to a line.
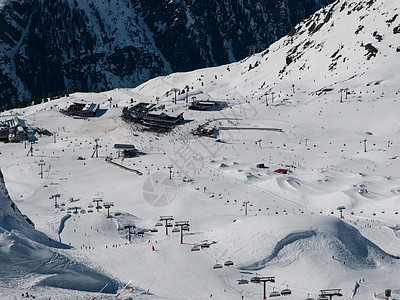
51	47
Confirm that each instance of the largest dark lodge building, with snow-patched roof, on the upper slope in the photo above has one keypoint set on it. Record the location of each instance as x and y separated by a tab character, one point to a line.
151	115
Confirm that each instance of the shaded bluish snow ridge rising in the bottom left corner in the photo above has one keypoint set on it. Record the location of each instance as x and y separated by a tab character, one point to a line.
26	252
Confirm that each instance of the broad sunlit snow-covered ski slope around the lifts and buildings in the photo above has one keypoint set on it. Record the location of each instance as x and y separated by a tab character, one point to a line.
341	149
